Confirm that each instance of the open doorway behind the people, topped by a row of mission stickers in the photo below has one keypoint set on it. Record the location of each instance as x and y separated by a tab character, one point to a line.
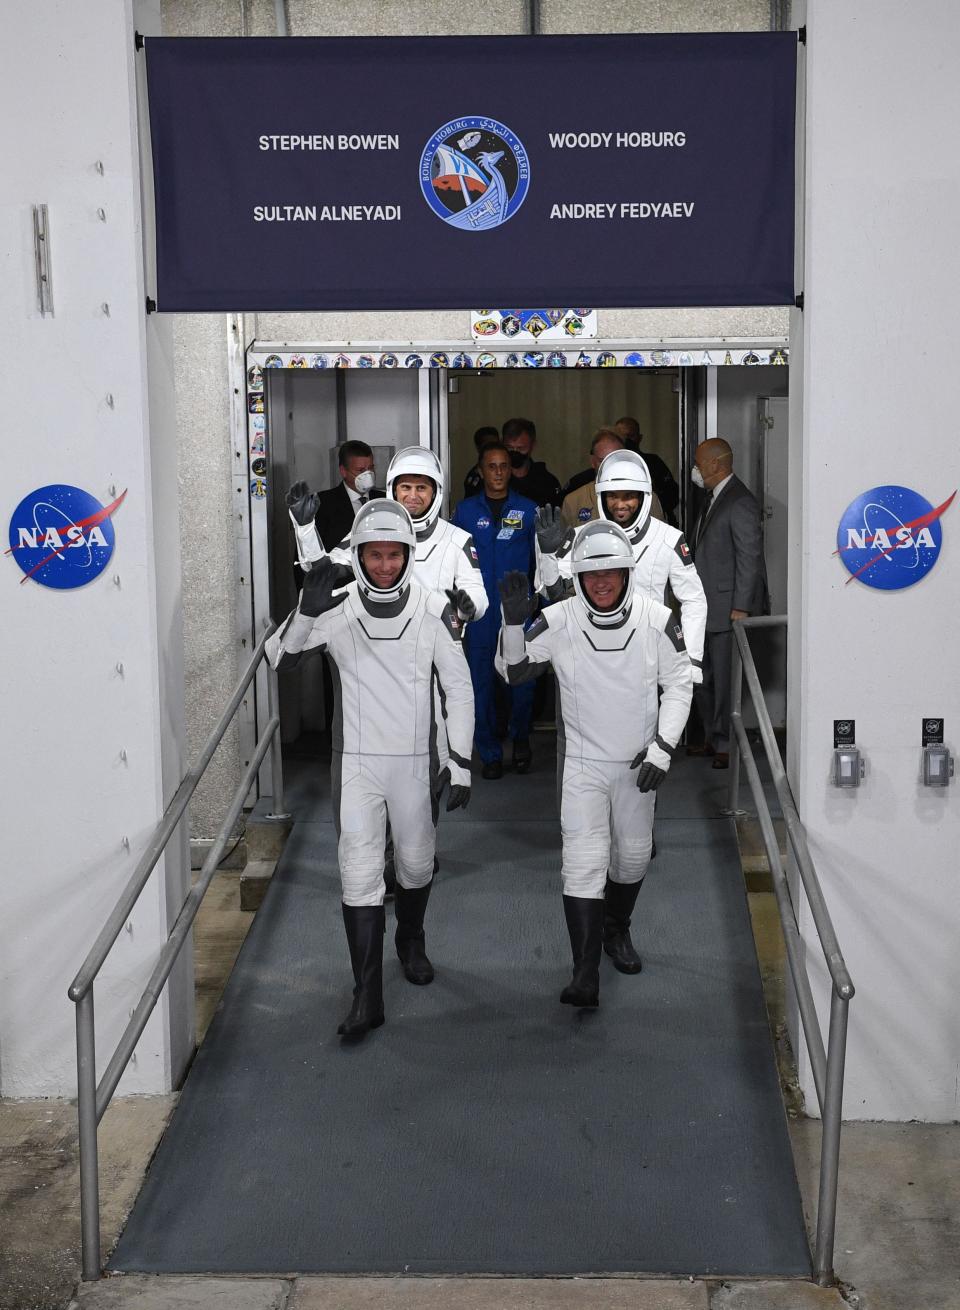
302	405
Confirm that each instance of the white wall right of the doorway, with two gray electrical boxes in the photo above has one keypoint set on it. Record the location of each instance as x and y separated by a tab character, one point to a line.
882	269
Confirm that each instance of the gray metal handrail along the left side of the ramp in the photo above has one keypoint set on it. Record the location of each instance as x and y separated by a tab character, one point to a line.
95	1097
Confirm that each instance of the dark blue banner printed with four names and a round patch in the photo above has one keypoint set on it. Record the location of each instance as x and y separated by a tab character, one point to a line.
450	174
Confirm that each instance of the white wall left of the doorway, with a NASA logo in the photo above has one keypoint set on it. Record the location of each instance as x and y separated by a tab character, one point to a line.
70	800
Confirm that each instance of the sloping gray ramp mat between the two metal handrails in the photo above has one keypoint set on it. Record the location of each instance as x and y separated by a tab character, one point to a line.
487	1129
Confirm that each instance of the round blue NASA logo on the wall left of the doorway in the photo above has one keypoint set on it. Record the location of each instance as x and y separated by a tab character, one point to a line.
62	536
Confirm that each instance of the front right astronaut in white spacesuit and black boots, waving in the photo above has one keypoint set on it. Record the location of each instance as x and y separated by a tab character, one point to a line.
611	648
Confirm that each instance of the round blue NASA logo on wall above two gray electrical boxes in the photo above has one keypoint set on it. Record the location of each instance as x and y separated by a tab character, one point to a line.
890	538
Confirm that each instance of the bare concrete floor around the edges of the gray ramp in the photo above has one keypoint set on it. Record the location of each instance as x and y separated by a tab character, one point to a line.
898	1229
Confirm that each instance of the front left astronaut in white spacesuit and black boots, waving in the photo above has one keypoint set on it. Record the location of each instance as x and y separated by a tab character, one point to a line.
388	640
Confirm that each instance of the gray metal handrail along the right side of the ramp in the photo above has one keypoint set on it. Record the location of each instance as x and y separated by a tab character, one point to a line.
828	1067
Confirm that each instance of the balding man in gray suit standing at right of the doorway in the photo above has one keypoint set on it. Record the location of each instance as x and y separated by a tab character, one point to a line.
729	551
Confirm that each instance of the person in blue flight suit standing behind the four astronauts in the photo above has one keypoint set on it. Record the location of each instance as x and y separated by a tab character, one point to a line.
504	530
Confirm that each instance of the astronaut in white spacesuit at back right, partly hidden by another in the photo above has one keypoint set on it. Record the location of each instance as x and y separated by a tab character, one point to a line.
663	559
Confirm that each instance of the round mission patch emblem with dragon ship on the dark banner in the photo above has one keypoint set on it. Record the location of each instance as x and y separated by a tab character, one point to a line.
475	174
